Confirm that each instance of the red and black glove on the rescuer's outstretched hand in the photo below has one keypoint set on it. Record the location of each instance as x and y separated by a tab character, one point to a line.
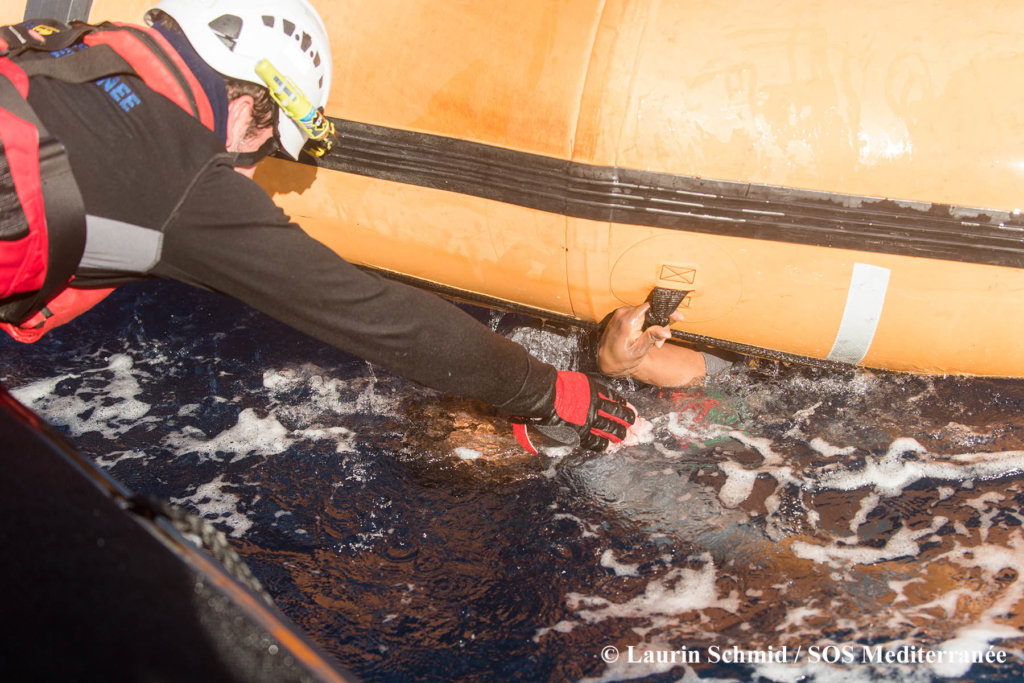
585	413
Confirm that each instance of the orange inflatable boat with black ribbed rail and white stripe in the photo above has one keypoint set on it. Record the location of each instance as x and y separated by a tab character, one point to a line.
831	184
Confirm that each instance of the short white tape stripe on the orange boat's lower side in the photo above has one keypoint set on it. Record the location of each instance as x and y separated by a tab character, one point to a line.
861	319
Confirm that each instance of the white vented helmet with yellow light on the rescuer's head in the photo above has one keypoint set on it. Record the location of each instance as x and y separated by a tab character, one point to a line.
235	36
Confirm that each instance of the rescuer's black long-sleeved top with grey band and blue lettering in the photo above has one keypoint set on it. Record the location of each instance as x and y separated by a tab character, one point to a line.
164	201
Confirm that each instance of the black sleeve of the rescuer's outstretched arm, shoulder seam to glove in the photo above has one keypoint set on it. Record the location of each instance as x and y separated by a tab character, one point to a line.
228	236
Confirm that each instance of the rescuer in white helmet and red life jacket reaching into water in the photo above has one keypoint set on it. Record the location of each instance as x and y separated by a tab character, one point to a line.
163	126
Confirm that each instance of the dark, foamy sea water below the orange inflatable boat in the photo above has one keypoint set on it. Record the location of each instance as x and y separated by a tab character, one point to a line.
838	516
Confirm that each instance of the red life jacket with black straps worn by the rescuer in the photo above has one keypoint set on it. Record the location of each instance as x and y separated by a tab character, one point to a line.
42	218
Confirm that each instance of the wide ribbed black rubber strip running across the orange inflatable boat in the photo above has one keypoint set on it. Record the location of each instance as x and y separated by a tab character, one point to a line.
679	203
